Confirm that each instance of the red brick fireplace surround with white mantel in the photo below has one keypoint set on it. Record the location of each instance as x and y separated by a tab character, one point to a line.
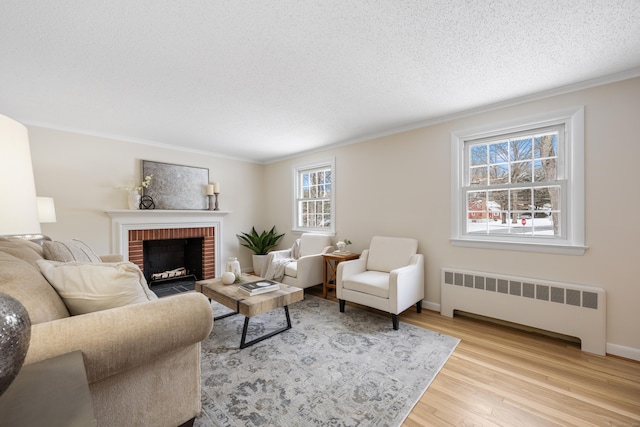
130	228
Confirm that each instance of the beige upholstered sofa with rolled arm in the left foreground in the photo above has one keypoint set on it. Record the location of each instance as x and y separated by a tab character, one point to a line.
142	360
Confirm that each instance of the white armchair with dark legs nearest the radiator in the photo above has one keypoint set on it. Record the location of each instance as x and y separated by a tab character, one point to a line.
389	276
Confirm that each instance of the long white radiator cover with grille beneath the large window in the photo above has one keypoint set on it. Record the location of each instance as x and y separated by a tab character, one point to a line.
569	309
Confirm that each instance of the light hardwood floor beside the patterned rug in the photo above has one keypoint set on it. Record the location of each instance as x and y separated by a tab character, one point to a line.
501	376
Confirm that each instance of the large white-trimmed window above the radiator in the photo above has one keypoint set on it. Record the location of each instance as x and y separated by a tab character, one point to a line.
521	185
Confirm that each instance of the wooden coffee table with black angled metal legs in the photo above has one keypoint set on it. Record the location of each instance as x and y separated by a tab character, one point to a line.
230	296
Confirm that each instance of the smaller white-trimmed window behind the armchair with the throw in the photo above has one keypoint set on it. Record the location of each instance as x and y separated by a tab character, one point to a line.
314	197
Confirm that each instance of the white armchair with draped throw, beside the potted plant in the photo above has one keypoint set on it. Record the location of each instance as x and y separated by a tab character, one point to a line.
301	265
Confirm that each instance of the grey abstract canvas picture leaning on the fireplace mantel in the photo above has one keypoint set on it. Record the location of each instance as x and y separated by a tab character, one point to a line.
176	187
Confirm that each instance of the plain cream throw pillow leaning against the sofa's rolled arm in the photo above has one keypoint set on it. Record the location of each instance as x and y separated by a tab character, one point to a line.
86	287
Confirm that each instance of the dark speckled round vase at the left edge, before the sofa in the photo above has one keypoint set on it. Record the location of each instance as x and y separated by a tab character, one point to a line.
15	333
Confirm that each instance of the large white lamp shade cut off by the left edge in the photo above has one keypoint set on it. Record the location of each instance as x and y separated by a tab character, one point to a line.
19	210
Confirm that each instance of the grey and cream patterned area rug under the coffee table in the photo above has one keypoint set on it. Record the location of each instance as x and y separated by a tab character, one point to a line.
330	369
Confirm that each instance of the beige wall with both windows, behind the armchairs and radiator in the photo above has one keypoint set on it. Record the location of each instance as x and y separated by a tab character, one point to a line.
400	185
